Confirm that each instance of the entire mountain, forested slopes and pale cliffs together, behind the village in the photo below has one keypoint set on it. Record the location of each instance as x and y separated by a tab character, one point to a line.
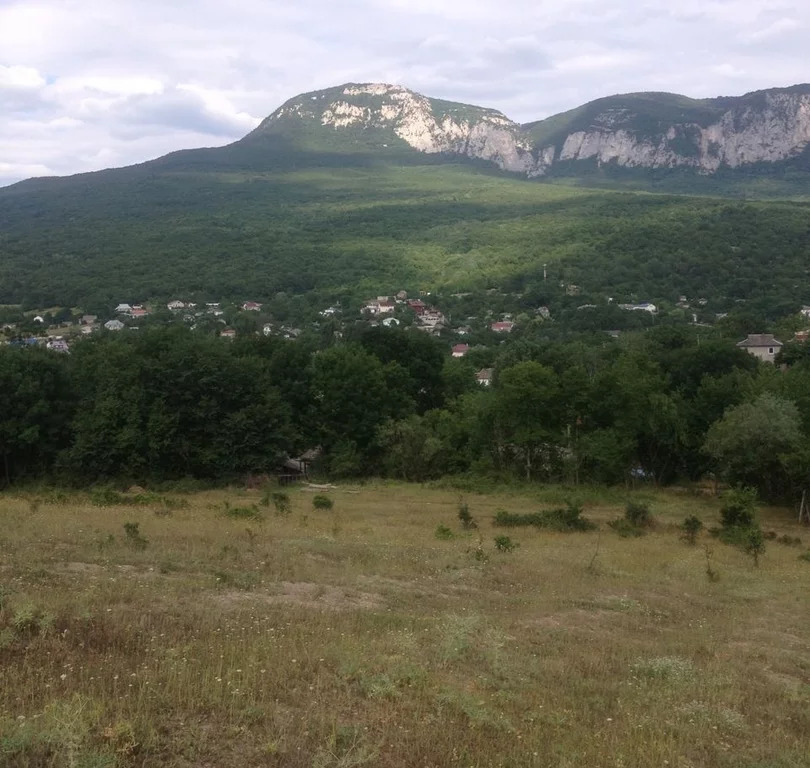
366	187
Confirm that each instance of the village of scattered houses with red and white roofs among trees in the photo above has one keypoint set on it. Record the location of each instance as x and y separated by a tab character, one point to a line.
58	329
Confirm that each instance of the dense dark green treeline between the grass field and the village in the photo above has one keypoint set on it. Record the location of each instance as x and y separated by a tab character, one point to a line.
162	404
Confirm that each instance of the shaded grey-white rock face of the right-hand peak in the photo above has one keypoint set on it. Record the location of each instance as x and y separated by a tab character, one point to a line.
779	131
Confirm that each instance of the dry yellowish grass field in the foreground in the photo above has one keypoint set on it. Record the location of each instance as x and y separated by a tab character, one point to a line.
207	637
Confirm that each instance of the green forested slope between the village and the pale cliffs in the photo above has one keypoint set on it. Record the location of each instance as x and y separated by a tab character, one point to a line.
200	224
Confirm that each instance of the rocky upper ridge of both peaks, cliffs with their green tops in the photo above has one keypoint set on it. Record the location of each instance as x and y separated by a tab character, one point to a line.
768	126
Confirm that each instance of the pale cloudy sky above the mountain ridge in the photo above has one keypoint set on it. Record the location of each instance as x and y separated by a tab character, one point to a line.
89	84
